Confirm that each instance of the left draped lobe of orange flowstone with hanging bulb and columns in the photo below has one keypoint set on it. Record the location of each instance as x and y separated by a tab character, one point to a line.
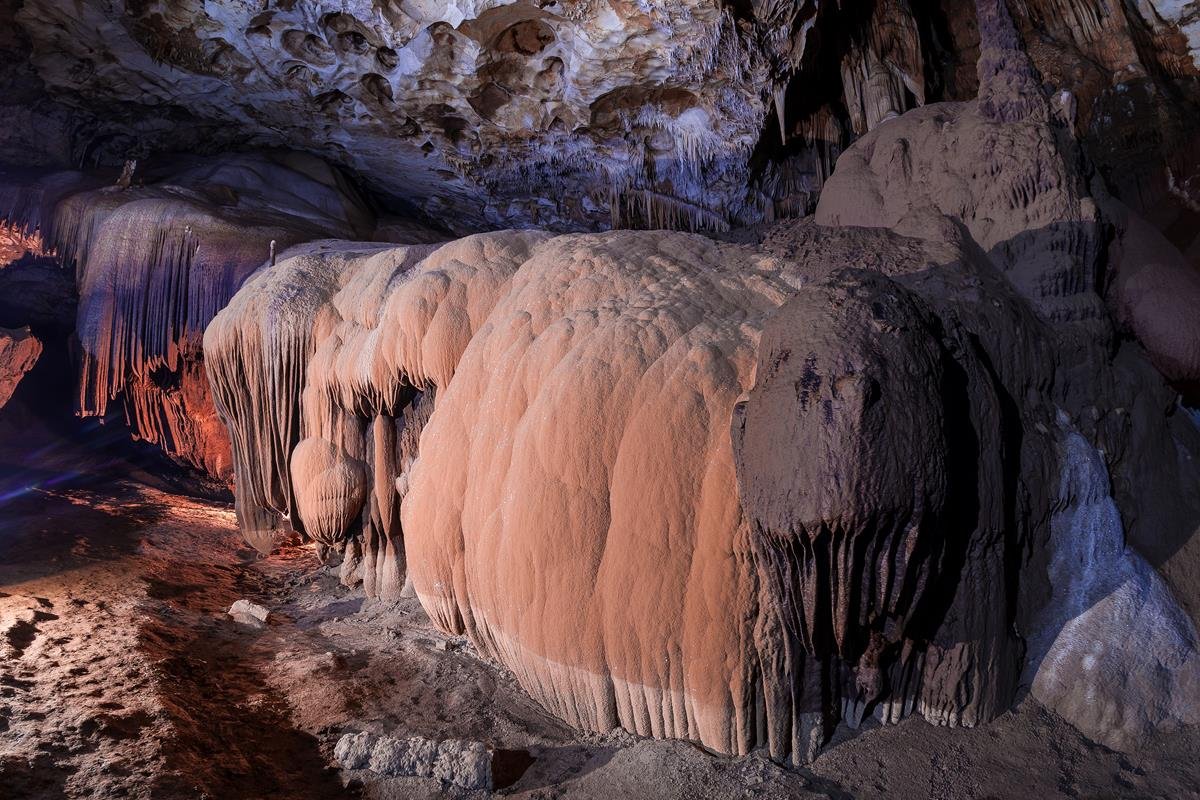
347	314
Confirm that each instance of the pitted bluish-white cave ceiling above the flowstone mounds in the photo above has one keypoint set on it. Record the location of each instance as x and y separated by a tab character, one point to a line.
694	115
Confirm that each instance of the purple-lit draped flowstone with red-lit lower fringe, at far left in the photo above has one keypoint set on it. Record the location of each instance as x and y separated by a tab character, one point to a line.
155	256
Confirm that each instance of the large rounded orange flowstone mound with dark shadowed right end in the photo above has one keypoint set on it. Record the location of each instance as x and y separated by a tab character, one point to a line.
611	495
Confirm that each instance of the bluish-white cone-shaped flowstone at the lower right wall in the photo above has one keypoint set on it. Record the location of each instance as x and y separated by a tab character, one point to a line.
1114	652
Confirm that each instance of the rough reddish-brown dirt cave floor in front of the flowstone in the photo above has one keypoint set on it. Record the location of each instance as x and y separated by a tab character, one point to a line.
123	676
